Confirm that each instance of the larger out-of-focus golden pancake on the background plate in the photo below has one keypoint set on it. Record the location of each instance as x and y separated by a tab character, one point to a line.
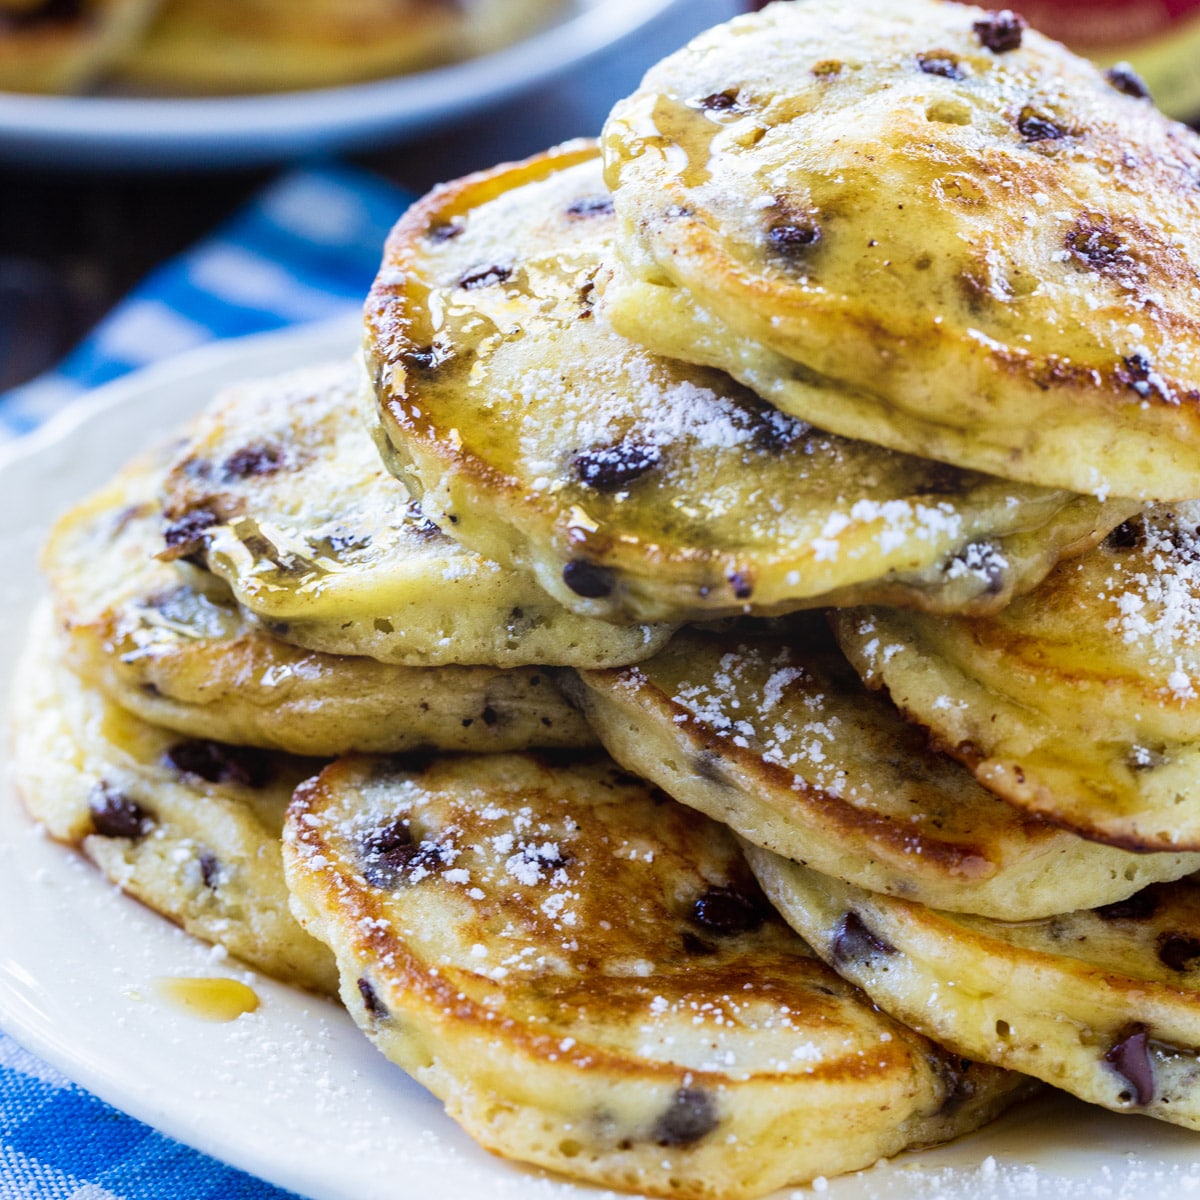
235	46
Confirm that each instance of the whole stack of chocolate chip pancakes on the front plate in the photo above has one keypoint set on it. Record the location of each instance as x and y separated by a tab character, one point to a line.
825	454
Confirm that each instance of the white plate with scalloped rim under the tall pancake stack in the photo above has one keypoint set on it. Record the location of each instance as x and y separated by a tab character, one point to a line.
293	1093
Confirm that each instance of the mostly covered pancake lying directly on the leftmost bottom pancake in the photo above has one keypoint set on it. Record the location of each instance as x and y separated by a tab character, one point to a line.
170	643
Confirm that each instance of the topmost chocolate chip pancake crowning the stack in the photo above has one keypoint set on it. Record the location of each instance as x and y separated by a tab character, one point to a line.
915	224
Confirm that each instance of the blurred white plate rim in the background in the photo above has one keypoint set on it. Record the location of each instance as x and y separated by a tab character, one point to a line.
115	131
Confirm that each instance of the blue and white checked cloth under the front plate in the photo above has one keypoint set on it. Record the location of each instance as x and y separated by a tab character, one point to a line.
305	250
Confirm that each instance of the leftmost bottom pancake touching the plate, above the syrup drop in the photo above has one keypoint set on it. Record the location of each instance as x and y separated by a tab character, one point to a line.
190	829
